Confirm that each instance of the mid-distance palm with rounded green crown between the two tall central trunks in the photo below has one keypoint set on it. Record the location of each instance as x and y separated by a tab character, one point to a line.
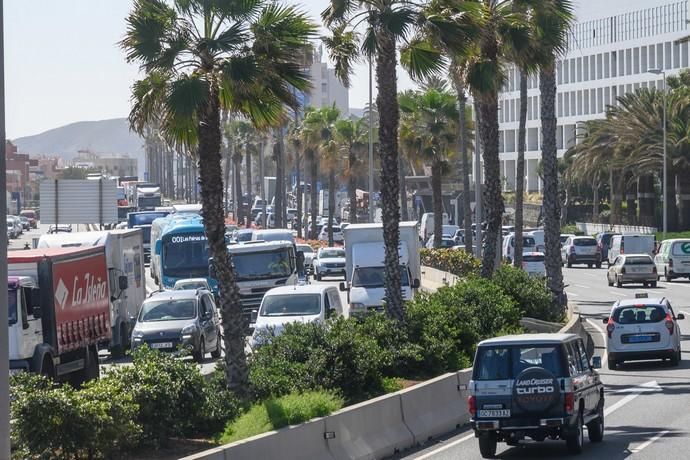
430	119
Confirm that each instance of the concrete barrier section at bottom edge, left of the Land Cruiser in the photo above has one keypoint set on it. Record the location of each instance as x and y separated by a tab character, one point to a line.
369	430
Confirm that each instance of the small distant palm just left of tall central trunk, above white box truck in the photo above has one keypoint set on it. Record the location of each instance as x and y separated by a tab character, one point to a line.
353	135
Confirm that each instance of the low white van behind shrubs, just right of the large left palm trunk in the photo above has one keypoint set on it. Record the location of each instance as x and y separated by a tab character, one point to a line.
294	304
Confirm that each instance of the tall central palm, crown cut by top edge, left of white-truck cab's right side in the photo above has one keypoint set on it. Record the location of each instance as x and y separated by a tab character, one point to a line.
387	23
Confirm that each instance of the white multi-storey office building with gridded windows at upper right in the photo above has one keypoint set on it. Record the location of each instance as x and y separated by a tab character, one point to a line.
612	47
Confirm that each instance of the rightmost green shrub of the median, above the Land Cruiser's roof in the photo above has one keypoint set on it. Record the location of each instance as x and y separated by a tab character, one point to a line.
531	294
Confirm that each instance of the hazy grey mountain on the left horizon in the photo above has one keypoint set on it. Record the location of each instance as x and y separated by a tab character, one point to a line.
105	137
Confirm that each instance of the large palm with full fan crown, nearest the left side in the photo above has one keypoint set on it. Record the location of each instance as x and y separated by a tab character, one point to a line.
198	56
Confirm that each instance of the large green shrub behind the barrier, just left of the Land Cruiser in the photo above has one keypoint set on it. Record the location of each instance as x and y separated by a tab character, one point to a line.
446	325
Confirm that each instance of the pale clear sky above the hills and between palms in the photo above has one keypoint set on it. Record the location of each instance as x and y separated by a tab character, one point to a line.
63	65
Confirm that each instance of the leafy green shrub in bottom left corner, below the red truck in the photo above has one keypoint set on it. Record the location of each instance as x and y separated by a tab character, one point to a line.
61	422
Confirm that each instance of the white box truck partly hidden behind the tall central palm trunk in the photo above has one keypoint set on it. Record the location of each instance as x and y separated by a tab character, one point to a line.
365	268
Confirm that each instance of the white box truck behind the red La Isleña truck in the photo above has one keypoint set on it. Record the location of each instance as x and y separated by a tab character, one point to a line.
124	253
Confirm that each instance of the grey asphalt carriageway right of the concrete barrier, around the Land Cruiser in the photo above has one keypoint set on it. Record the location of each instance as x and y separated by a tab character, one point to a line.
646	413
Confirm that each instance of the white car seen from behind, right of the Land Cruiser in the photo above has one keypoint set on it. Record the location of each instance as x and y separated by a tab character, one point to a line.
641	329
